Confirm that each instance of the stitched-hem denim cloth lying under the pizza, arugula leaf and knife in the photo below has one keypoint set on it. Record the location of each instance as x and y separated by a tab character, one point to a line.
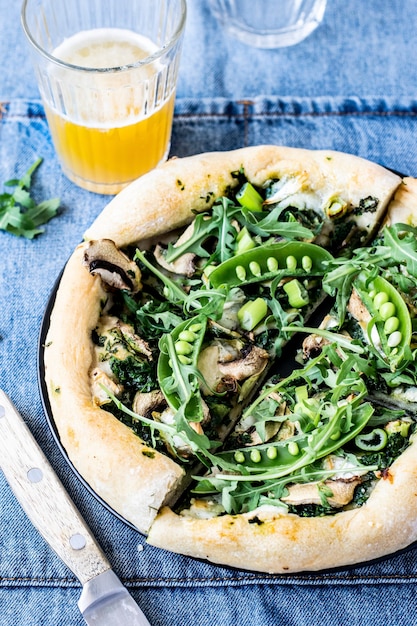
35	587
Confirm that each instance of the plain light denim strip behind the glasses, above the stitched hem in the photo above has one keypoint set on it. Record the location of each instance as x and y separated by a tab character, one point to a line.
362	47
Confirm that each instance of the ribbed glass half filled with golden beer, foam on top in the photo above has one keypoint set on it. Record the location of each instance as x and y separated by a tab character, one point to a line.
107	73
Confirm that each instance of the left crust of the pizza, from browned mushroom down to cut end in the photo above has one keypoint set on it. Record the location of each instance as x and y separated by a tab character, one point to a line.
132	478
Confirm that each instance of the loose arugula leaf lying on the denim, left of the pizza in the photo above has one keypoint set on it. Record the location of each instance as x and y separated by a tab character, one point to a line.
20	215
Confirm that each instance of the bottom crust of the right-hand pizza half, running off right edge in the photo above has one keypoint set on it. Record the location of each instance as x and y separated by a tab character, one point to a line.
283	543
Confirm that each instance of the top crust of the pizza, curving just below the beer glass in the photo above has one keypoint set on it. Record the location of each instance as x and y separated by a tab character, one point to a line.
165	198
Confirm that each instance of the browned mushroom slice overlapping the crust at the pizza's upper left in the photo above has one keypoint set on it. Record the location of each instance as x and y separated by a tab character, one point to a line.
116	270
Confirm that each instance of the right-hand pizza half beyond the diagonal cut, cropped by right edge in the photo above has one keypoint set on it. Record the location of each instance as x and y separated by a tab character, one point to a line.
324	460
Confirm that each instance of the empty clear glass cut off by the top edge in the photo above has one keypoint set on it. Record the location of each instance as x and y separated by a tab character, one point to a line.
269	23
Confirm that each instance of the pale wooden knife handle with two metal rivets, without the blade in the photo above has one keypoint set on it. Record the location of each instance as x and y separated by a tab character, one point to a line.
43	497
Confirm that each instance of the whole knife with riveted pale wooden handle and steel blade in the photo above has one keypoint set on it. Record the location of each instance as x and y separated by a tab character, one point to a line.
104	600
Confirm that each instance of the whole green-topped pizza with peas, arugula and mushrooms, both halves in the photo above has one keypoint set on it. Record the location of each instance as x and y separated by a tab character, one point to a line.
230	360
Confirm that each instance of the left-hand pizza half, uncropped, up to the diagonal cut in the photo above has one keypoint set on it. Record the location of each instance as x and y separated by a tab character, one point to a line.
172	311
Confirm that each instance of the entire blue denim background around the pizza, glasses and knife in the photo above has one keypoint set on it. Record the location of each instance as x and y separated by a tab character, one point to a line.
351	86
